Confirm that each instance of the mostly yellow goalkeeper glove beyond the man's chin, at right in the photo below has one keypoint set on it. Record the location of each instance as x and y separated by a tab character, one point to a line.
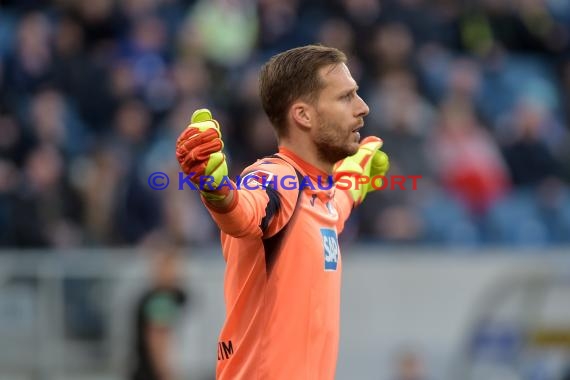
358	171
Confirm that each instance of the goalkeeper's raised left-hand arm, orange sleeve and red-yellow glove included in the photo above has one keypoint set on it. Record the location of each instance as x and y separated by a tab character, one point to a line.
242	209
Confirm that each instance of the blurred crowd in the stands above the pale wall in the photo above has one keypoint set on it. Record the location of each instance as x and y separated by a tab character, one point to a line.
474	96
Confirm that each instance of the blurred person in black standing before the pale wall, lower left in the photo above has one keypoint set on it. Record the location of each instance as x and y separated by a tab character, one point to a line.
157	312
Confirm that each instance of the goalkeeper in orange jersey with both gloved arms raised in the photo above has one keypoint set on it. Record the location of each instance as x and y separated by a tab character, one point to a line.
283	273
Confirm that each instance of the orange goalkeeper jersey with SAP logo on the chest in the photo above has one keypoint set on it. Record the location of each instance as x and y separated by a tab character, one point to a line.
283	274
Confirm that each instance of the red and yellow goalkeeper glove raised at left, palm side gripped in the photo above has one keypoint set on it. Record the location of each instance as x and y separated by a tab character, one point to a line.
199	153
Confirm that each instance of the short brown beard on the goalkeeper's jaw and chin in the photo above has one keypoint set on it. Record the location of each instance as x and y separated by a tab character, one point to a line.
331	146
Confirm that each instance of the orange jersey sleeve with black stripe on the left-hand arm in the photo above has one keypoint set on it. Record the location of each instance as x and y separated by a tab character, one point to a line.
265	198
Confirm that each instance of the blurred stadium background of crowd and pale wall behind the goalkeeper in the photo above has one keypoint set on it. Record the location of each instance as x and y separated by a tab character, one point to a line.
466	278
